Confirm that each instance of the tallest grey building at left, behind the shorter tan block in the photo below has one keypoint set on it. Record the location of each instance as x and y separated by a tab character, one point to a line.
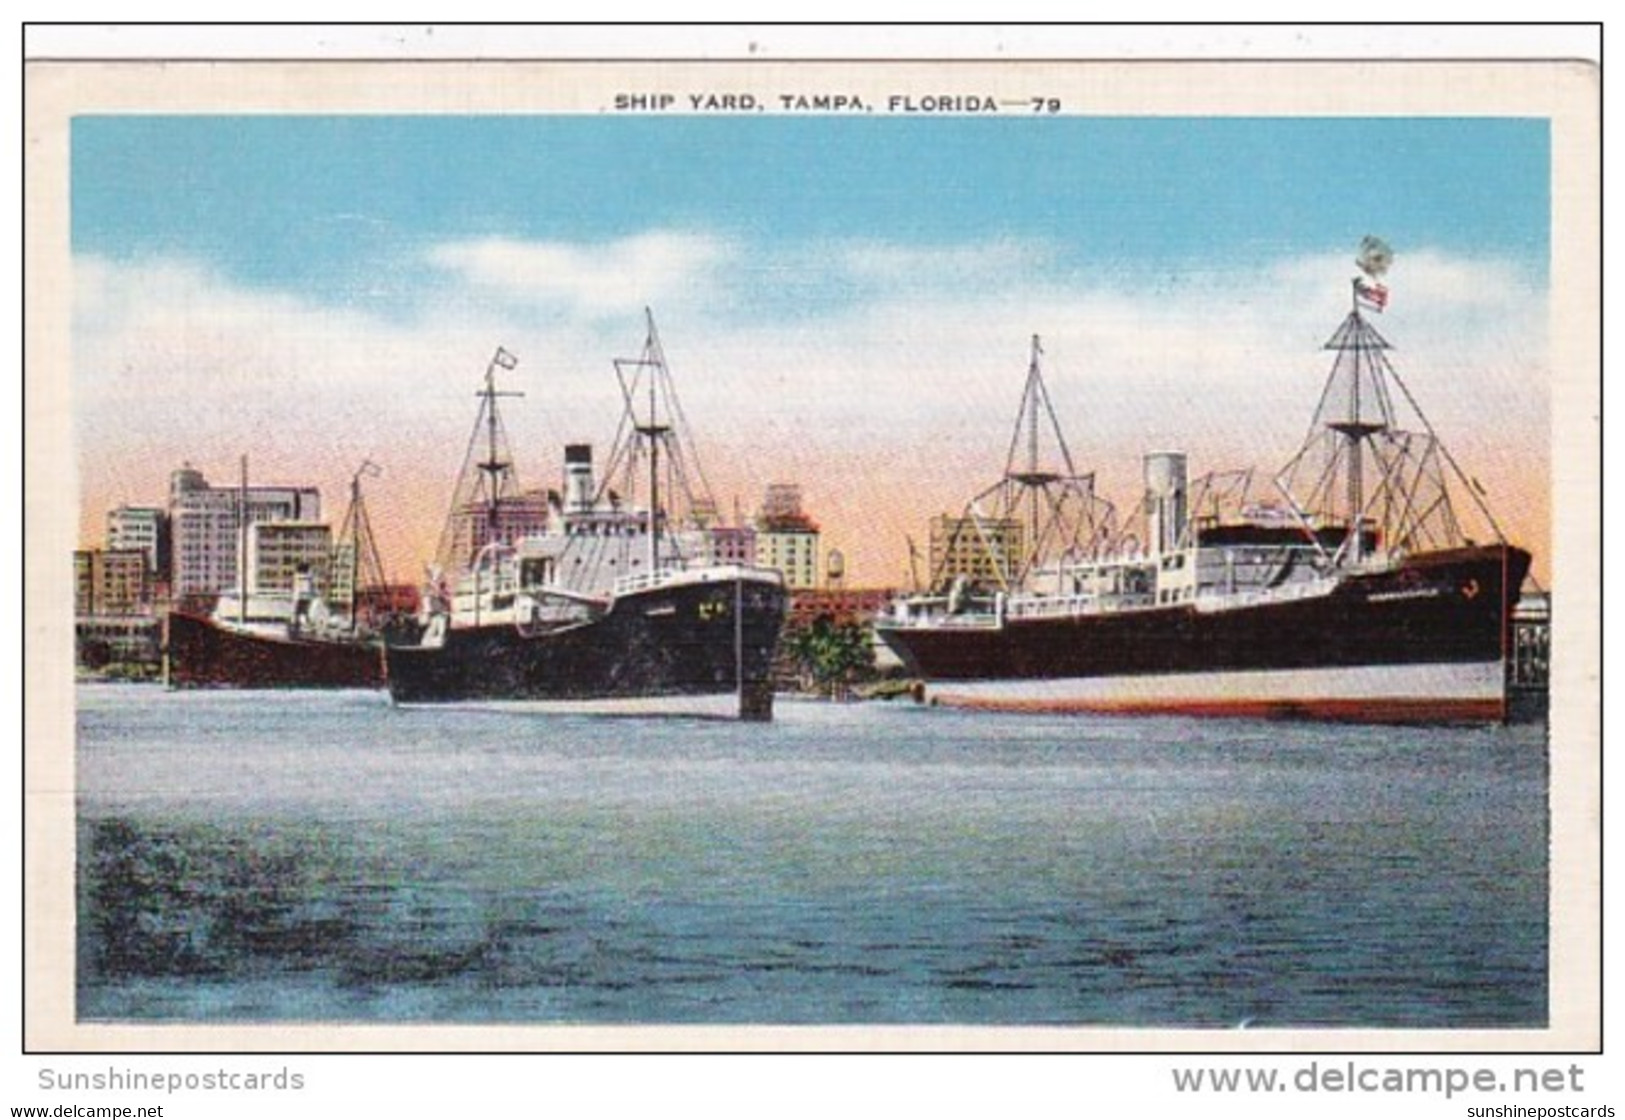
204	527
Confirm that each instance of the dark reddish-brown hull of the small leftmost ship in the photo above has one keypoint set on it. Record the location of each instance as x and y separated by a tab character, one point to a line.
202	654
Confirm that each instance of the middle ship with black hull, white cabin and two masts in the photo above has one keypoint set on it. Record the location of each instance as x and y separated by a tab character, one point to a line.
610	607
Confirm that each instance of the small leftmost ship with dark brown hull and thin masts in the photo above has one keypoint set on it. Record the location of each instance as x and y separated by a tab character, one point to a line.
288	638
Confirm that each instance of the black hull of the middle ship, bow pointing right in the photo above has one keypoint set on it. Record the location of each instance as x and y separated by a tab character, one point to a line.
667	643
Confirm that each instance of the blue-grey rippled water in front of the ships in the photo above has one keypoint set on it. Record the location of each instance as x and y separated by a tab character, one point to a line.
326	857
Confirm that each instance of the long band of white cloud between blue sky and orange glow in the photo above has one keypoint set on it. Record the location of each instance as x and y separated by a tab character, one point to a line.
922	332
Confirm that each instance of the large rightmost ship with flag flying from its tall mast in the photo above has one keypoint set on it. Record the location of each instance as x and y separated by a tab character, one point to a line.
1351	593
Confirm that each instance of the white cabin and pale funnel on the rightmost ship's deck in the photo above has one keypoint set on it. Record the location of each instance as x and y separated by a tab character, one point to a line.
1185	563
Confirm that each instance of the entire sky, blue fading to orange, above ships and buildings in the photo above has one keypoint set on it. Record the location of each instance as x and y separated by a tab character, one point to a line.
846	303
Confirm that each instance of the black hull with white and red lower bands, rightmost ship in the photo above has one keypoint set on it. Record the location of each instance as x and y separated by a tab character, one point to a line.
1421	643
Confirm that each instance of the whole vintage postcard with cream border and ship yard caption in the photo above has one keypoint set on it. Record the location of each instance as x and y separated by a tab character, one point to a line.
771	553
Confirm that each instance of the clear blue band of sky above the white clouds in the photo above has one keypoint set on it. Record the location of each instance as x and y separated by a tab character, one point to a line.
303	201
